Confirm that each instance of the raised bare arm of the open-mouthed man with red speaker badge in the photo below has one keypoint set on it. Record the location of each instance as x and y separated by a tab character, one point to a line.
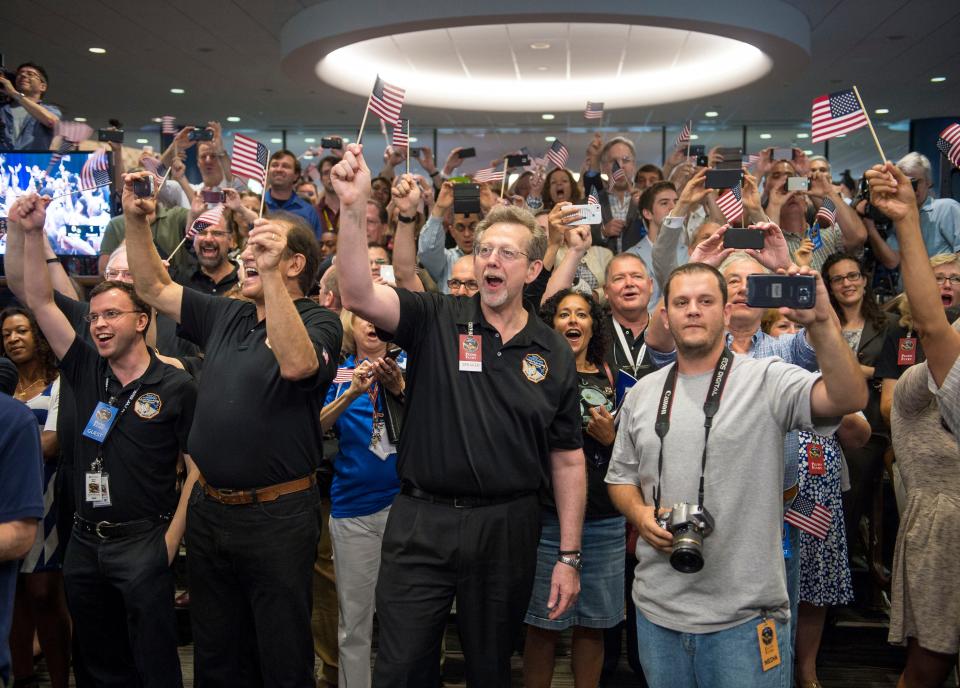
378	304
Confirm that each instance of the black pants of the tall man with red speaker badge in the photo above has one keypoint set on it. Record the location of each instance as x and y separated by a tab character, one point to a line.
485	557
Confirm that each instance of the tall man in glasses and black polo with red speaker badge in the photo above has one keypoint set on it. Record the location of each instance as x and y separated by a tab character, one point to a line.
492	416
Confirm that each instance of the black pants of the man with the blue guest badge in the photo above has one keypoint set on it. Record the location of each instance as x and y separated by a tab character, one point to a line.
120	595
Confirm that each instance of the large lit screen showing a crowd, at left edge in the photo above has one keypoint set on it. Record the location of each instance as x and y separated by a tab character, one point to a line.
75	222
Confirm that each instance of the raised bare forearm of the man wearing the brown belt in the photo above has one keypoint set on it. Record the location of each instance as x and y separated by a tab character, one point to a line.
150	277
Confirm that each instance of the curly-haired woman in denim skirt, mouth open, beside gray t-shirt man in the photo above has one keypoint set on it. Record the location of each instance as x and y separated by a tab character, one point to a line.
579	319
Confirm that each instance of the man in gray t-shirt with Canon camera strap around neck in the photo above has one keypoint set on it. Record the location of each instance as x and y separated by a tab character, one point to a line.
710	584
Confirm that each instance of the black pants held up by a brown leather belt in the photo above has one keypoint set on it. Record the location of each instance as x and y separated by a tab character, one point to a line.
251	575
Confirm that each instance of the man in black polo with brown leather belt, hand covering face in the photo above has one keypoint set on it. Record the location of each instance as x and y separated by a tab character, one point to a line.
253	523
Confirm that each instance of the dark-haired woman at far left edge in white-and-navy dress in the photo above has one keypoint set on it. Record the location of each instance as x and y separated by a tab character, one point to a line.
40	604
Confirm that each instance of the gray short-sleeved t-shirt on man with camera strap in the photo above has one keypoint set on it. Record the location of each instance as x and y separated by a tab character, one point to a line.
743	574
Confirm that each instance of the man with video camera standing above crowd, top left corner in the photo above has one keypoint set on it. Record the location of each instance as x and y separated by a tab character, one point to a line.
25	124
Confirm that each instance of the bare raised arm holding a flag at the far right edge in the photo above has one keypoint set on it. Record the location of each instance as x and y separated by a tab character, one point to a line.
891	192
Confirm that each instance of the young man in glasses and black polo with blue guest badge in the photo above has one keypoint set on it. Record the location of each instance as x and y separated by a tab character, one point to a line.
129	522
